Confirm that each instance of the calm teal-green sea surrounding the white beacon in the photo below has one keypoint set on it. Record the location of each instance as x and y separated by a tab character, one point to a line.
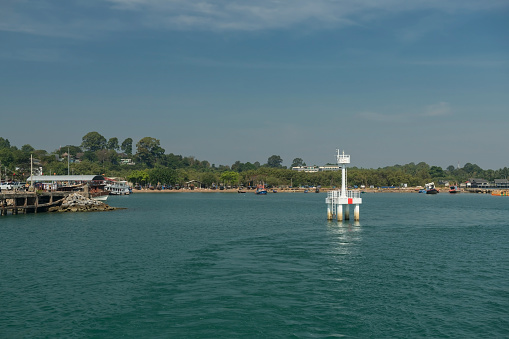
228	265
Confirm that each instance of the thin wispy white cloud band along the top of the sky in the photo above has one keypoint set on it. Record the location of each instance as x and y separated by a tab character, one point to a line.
88	17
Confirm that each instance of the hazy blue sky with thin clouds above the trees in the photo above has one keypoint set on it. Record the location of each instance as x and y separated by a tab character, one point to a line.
387	81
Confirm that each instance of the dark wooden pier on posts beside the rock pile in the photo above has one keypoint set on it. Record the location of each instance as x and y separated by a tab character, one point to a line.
29	202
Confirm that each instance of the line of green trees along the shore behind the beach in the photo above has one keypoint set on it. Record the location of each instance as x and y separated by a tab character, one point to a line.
98	155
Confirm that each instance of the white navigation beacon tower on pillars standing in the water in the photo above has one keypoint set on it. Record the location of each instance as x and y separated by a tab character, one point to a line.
339	201
